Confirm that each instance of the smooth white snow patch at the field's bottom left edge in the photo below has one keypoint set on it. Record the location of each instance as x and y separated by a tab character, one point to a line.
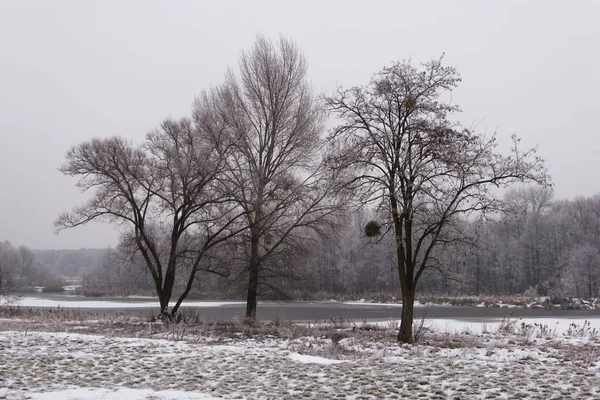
106	394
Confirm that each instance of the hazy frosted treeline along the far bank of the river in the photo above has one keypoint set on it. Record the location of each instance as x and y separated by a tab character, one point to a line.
540	246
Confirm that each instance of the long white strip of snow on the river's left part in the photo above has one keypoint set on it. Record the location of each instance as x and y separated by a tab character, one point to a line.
79	302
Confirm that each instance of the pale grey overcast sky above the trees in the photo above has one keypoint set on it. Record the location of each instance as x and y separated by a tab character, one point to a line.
72	70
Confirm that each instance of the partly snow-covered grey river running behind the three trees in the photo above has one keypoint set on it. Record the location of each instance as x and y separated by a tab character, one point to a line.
299	311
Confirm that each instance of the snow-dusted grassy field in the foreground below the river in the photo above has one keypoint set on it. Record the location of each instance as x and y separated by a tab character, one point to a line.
514	359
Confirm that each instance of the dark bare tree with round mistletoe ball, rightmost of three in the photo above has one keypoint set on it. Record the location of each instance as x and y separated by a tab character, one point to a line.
422	169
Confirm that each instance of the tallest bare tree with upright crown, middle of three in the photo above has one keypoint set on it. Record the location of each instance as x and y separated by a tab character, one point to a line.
272	122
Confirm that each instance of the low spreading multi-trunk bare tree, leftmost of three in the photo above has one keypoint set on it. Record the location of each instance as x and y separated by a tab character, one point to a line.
165	194
